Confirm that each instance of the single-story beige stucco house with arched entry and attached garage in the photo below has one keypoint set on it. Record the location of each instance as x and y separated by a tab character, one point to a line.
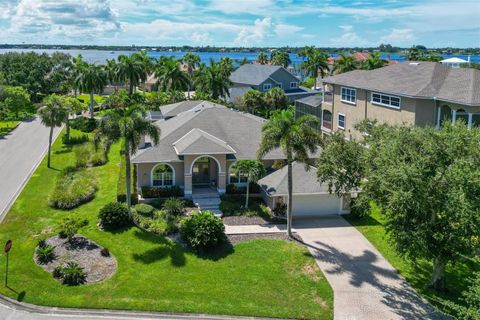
200	141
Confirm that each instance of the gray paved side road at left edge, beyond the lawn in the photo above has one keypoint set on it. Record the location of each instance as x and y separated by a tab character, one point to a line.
20	153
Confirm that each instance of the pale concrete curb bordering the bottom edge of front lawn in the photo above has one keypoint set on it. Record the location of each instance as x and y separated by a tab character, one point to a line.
105	313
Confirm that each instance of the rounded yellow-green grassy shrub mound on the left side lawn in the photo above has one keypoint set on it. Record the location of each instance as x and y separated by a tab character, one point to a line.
74	188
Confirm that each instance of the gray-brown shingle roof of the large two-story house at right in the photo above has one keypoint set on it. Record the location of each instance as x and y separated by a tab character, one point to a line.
419	80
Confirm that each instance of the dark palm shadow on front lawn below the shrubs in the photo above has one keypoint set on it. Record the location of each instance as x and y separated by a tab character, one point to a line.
166	248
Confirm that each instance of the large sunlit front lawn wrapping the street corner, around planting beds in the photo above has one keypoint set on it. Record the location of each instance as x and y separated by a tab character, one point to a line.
259	278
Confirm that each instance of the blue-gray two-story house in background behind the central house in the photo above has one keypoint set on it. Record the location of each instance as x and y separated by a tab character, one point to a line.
263	78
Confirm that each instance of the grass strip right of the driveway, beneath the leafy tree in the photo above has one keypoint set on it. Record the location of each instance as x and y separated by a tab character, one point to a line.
417	274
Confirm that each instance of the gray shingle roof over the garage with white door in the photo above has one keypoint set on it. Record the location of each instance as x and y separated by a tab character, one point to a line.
304	182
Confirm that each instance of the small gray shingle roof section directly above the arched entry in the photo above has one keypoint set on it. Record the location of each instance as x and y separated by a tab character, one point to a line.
197	141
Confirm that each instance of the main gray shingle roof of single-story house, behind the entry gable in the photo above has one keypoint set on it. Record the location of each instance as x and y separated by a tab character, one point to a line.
241	131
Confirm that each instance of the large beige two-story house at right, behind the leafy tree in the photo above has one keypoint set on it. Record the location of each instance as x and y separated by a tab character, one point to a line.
419	93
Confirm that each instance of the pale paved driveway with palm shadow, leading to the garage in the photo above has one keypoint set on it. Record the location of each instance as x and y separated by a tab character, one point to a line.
365	285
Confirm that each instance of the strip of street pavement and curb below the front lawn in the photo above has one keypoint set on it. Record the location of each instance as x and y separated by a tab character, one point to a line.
12	310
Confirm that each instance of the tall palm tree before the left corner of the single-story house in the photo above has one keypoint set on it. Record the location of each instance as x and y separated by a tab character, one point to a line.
128	124
